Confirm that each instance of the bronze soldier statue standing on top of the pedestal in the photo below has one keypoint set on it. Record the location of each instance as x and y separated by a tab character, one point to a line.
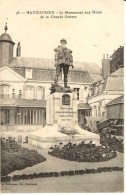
63	60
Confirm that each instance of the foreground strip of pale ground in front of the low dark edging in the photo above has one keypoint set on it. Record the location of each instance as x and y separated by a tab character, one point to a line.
103	182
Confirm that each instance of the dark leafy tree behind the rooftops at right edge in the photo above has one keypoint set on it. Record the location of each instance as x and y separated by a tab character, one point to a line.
117	59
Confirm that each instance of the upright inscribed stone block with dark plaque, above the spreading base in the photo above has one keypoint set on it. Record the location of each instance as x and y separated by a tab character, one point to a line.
61	108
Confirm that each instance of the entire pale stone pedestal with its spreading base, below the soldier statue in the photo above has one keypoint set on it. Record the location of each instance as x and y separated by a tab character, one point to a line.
61	110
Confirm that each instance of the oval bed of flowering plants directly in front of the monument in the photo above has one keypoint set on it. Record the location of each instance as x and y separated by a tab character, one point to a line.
82	152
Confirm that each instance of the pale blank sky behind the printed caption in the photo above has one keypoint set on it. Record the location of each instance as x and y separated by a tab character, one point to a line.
89	36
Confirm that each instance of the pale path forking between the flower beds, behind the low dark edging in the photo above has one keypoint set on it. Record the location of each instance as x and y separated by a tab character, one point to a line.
56	164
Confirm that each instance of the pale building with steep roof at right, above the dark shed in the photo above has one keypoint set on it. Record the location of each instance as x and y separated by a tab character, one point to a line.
105	90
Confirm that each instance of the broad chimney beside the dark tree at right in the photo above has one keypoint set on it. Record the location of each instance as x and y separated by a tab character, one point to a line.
105	66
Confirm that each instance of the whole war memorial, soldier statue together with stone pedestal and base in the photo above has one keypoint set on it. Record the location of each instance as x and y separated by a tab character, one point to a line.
61	112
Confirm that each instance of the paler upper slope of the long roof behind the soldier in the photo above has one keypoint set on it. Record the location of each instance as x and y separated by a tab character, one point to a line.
44	63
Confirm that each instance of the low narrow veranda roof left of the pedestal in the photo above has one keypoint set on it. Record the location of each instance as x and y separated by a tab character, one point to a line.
22	103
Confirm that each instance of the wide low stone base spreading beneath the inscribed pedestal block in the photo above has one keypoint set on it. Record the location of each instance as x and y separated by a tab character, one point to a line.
50	136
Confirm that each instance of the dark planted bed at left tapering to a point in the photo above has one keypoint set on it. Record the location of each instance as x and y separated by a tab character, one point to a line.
15	157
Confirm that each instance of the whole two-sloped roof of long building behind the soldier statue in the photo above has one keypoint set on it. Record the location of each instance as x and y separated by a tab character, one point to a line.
44	70
